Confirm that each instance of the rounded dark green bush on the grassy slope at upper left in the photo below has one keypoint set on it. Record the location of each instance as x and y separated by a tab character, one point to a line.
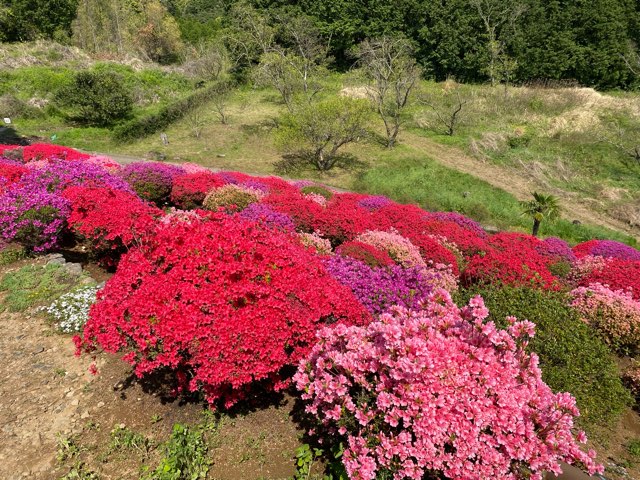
98	98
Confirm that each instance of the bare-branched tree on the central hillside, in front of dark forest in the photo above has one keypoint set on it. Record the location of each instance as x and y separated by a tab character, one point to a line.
392	72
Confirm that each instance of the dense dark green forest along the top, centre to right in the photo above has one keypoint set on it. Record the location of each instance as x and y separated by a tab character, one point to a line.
553	39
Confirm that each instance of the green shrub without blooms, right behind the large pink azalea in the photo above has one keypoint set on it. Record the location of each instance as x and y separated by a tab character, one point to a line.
573	359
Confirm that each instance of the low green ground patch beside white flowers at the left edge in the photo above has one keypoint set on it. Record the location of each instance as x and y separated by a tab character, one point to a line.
34	285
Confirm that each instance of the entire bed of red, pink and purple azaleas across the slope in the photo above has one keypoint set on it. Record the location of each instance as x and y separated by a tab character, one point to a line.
269	276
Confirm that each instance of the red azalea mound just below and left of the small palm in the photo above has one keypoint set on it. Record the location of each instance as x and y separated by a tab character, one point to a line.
509	267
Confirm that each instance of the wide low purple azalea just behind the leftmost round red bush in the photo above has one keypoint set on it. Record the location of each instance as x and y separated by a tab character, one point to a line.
57	175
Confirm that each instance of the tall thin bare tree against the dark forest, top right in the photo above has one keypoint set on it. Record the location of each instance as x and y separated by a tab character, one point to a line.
499	18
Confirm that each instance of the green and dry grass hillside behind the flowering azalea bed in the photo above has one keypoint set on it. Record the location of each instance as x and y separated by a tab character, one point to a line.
520	124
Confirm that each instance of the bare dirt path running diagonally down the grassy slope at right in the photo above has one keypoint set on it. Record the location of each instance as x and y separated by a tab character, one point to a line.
511	181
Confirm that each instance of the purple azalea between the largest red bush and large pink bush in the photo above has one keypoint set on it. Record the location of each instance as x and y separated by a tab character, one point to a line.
380	288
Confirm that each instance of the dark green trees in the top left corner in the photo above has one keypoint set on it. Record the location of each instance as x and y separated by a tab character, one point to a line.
22	20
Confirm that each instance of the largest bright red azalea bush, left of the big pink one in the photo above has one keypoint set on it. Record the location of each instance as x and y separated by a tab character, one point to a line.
220	301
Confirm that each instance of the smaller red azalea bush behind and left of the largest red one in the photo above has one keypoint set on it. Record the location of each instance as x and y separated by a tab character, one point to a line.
111	220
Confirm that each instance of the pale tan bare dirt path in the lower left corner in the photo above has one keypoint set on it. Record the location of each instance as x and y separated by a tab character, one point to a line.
44	392
